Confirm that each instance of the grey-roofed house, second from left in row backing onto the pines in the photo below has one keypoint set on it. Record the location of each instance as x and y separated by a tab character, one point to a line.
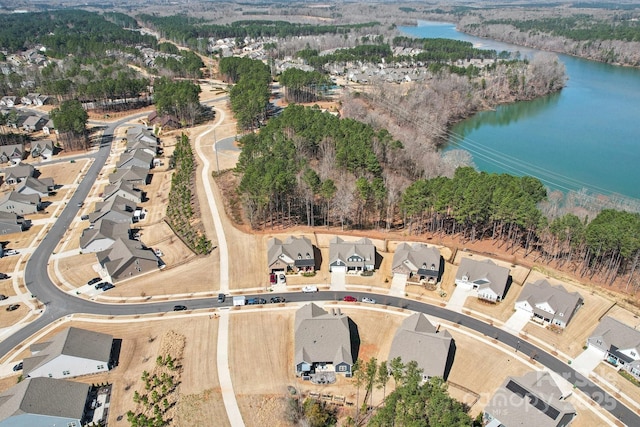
345	256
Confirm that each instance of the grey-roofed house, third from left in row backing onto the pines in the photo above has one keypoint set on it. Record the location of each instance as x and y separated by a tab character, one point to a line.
417	261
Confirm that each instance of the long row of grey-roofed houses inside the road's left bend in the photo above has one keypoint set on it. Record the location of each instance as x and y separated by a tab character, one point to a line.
109	234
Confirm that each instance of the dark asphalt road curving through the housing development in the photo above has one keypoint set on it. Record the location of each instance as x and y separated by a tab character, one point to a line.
59	304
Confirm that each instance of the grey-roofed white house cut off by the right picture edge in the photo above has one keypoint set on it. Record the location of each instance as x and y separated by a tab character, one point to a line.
618	343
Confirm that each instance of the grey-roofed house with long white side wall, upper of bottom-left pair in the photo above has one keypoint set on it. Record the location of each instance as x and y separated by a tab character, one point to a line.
70	353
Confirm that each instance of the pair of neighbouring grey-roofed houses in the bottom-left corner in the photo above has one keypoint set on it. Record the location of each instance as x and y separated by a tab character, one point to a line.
45	396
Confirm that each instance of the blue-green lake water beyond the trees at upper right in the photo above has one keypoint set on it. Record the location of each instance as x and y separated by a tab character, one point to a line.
586	136
